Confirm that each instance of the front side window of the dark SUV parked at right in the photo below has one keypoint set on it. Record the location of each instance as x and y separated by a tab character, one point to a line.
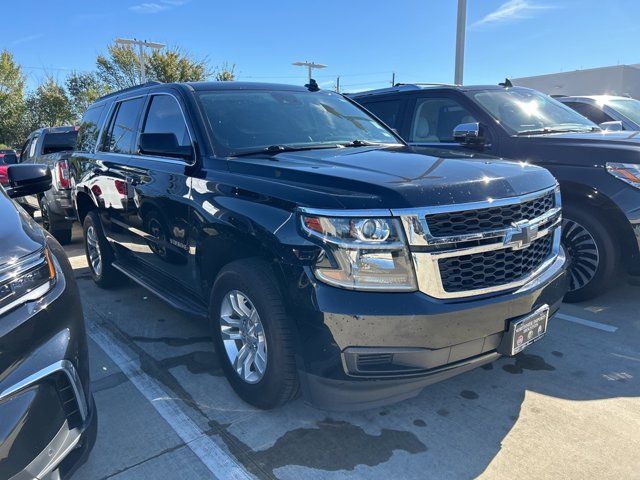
435	118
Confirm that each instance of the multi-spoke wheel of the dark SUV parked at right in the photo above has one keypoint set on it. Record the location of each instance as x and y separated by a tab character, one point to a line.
582	251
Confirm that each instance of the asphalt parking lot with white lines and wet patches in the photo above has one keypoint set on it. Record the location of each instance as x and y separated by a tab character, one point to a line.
568	407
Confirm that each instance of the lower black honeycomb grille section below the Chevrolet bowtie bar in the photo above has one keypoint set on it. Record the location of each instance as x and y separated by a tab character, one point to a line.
493	268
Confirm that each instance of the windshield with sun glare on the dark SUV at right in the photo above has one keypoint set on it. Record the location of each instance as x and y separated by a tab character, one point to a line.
527	111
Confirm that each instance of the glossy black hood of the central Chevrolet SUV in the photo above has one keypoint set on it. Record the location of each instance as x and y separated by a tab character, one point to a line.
366	177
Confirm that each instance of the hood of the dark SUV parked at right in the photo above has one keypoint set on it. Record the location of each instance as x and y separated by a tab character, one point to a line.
590	148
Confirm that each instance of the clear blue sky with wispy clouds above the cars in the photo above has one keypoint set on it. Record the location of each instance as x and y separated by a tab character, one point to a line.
362	41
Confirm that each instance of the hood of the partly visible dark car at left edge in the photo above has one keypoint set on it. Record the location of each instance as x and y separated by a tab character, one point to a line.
20	235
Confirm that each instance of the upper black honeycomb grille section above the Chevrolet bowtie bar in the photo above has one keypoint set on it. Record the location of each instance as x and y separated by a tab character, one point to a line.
486	219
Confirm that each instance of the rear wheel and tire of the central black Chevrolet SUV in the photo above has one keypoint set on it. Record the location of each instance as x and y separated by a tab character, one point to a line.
99	253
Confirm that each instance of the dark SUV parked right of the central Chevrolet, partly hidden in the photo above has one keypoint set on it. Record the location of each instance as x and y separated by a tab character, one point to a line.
599	172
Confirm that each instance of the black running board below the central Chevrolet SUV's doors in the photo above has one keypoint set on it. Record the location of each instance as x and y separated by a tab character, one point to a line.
178	297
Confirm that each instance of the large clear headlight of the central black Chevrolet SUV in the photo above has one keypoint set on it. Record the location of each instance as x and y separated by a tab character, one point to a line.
361	253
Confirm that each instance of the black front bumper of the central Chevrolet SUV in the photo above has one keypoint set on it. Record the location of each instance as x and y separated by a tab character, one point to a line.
364	349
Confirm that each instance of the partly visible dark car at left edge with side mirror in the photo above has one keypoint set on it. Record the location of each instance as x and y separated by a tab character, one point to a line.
47	417
